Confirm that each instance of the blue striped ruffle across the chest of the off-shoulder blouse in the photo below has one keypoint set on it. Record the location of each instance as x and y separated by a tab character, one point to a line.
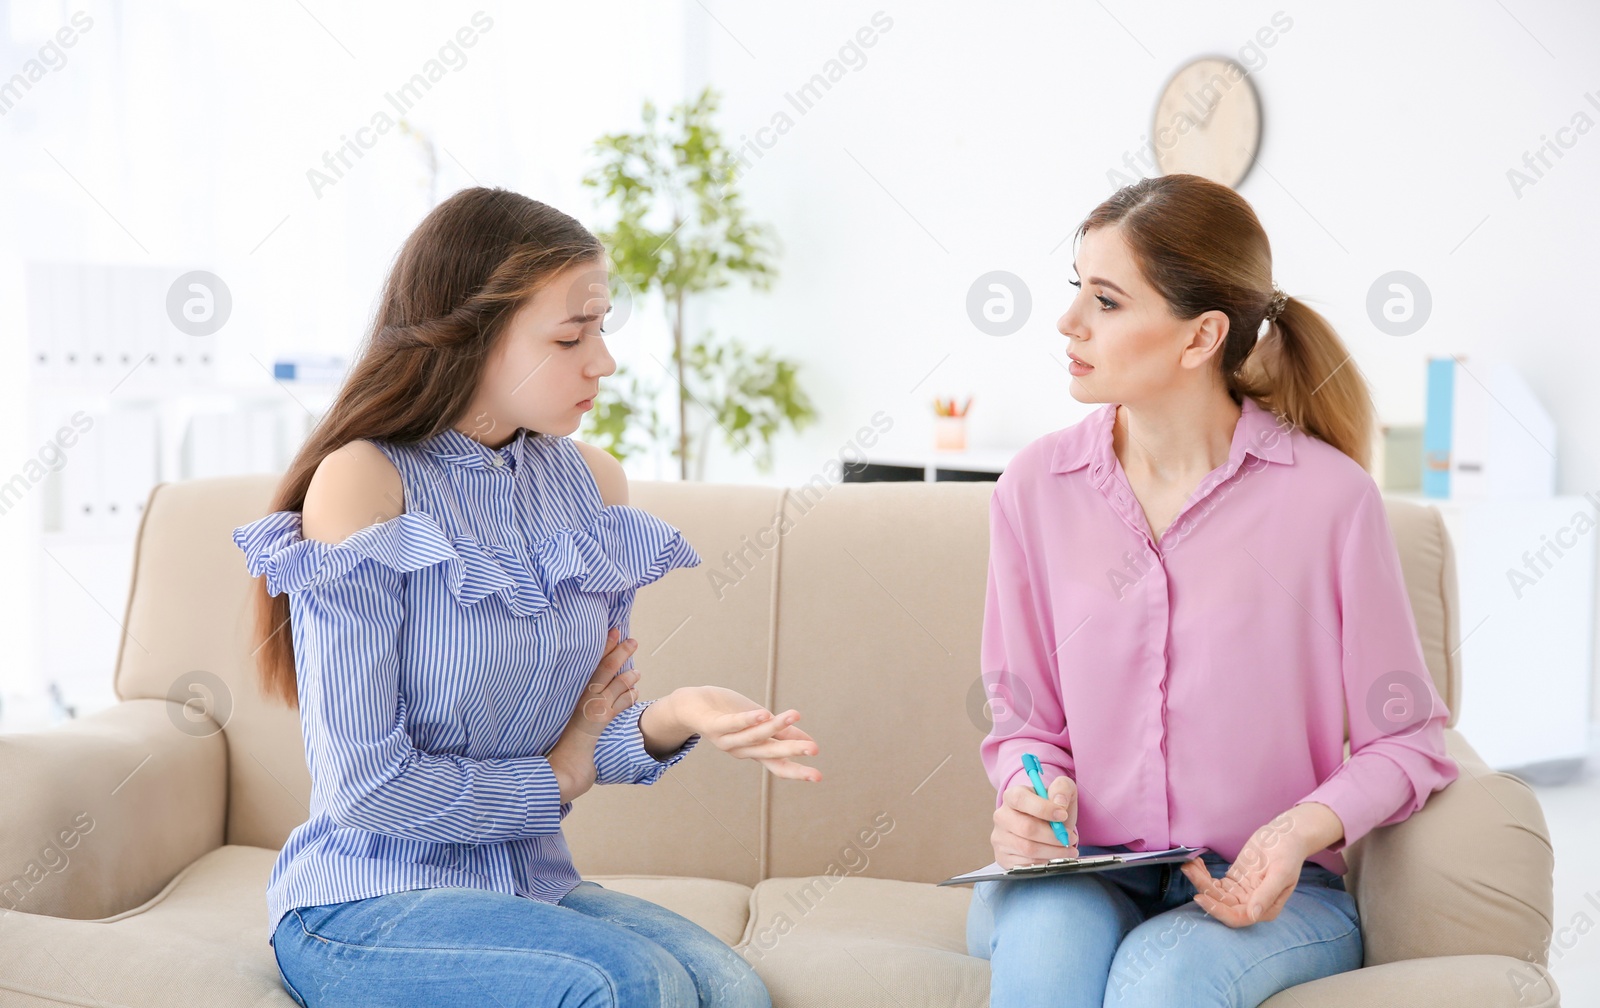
622	550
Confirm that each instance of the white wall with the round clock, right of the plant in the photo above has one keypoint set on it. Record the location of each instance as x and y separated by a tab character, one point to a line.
970	143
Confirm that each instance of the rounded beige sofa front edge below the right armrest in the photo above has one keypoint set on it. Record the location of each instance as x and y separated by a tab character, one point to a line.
1449	982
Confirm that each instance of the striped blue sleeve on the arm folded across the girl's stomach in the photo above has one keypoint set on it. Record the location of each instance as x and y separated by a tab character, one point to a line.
369	774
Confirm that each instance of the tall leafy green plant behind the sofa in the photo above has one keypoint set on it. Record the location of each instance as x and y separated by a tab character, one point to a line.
679	230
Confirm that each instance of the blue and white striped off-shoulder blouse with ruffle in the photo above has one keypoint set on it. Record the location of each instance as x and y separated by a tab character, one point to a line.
439	658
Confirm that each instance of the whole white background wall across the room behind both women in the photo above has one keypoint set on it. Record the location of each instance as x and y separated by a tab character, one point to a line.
970	140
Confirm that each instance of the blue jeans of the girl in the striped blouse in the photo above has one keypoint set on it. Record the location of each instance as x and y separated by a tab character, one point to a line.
462	946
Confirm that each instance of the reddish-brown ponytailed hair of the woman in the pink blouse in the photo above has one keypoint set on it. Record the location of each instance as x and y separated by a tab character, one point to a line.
1202	249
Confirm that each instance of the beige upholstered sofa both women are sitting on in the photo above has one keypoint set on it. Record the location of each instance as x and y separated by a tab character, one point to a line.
137	842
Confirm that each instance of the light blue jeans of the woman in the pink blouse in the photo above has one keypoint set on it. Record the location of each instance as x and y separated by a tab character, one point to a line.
1135	937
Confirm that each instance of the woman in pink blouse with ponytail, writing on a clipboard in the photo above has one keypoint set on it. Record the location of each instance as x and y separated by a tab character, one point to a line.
1194	599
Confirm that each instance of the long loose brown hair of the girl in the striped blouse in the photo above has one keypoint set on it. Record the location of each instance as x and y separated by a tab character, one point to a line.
454	287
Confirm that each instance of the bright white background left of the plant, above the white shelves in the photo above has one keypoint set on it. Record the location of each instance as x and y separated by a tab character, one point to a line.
182	134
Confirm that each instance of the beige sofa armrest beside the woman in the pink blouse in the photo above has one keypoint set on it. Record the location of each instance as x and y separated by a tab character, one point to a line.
1468	874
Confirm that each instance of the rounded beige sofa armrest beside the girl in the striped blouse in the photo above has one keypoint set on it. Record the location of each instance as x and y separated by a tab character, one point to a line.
106	810
